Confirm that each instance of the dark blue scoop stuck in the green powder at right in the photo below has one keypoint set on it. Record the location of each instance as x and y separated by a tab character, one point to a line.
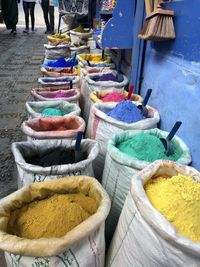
167	142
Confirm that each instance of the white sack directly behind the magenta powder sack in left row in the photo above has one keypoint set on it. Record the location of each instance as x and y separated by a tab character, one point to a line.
61	82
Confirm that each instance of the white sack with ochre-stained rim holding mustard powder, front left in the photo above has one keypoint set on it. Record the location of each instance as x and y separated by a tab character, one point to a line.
84	245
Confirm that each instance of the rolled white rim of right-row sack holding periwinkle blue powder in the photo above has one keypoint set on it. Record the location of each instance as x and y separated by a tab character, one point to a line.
123	125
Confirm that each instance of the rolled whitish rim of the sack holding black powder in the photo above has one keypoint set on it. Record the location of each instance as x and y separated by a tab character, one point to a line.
91	145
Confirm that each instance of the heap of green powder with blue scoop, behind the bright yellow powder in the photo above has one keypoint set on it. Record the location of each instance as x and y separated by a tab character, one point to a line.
148	147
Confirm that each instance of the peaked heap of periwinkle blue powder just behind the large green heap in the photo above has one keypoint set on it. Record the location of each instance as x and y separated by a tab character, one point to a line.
127	112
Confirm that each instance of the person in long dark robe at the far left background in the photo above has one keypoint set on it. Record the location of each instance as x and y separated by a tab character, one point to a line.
10	14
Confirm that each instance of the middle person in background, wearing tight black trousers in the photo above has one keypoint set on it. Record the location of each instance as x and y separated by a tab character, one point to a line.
29	7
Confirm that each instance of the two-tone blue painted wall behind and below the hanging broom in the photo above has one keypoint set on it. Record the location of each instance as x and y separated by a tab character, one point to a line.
172	70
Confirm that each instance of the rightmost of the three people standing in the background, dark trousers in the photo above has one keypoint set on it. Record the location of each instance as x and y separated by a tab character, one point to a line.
48	11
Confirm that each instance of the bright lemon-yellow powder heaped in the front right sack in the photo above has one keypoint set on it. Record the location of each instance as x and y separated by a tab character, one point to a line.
178	199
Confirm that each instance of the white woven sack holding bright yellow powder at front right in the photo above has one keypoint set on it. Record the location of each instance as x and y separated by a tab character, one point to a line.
144	237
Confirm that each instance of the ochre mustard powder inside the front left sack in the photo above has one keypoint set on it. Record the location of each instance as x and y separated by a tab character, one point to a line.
51	217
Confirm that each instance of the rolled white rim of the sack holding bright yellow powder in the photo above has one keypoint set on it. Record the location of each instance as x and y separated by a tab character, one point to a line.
151	215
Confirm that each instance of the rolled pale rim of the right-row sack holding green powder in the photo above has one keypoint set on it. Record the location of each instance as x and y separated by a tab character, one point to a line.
123	159
